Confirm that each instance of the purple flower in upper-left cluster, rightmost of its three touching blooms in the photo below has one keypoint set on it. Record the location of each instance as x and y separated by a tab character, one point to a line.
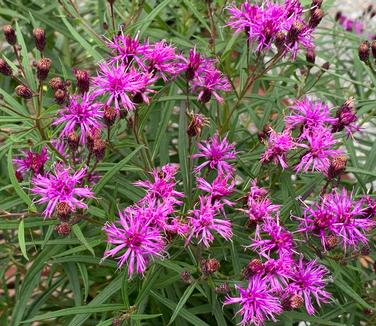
161	58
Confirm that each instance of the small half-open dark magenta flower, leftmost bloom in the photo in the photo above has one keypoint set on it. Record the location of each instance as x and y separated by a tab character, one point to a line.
32	161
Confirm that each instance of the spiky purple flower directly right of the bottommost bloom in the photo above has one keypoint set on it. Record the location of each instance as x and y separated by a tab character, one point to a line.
308	280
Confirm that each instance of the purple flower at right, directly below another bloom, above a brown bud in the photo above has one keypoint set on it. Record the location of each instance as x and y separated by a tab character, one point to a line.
319	150
